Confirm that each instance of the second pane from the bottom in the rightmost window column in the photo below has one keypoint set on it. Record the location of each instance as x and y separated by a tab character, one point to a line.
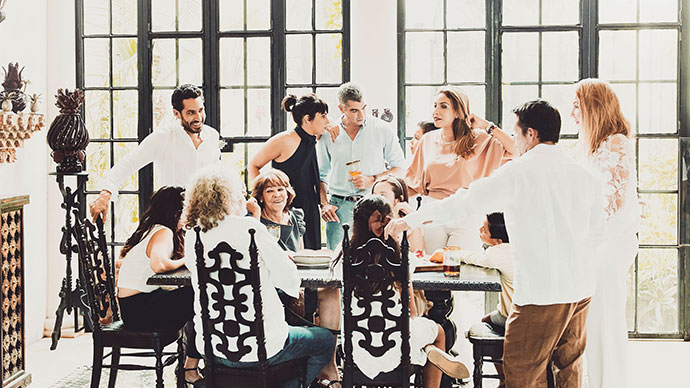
660	224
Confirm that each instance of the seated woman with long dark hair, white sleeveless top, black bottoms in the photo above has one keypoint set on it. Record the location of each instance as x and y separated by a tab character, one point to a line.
156	246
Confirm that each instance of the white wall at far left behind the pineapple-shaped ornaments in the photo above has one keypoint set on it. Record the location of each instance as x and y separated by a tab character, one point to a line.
23	36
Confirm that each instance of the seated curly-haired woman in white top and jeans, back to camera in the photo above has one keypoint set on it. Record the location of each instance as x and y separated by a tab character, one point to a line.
216	203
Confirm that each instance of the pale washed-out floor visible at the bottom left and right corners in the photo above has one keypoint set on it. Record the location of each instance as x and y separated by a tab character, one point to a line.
653	363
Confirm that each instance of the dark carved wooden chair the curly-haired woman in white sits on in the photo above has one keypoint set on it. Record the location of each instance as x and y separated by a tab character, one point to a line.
227	285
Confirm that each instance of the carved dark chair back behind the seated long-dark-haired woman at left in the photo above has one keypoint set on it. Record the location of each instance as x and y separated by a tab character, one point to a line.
96	270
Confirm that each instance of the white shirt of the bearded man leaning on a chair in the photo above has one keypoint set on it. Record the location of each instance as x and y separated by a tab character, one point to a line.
174	157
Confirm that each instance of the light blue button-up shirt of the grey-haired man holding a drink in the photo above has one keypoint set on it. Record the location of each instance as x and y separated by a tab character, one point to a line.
376	146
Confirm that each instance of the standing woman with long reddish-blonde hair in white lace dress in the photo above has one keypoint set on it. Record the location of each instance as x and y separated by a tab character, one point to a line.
607	146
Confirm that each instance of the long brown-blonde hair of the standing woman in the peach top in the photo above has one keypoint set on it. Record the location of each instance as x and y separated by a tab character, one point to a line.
463	135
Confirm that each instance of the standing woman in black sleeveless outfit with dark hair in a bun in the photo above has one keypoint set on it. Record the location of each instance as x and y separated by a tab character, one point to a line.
309	113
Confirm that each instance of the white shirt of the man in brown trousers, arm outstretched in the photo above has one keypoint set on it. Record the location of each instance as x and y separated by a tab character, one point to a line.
553	209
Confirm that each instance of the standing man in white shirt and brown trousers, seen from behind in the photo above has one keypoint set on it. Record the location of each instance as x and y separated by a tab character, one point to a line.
553	208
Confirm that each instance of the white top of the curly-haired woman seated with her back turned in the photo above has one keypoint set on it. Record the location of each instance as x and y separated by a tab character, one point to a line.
276	270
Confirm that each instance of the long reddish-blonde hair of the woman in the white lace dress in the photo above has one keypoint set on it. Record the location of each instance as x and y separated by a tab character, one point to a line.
601	112
